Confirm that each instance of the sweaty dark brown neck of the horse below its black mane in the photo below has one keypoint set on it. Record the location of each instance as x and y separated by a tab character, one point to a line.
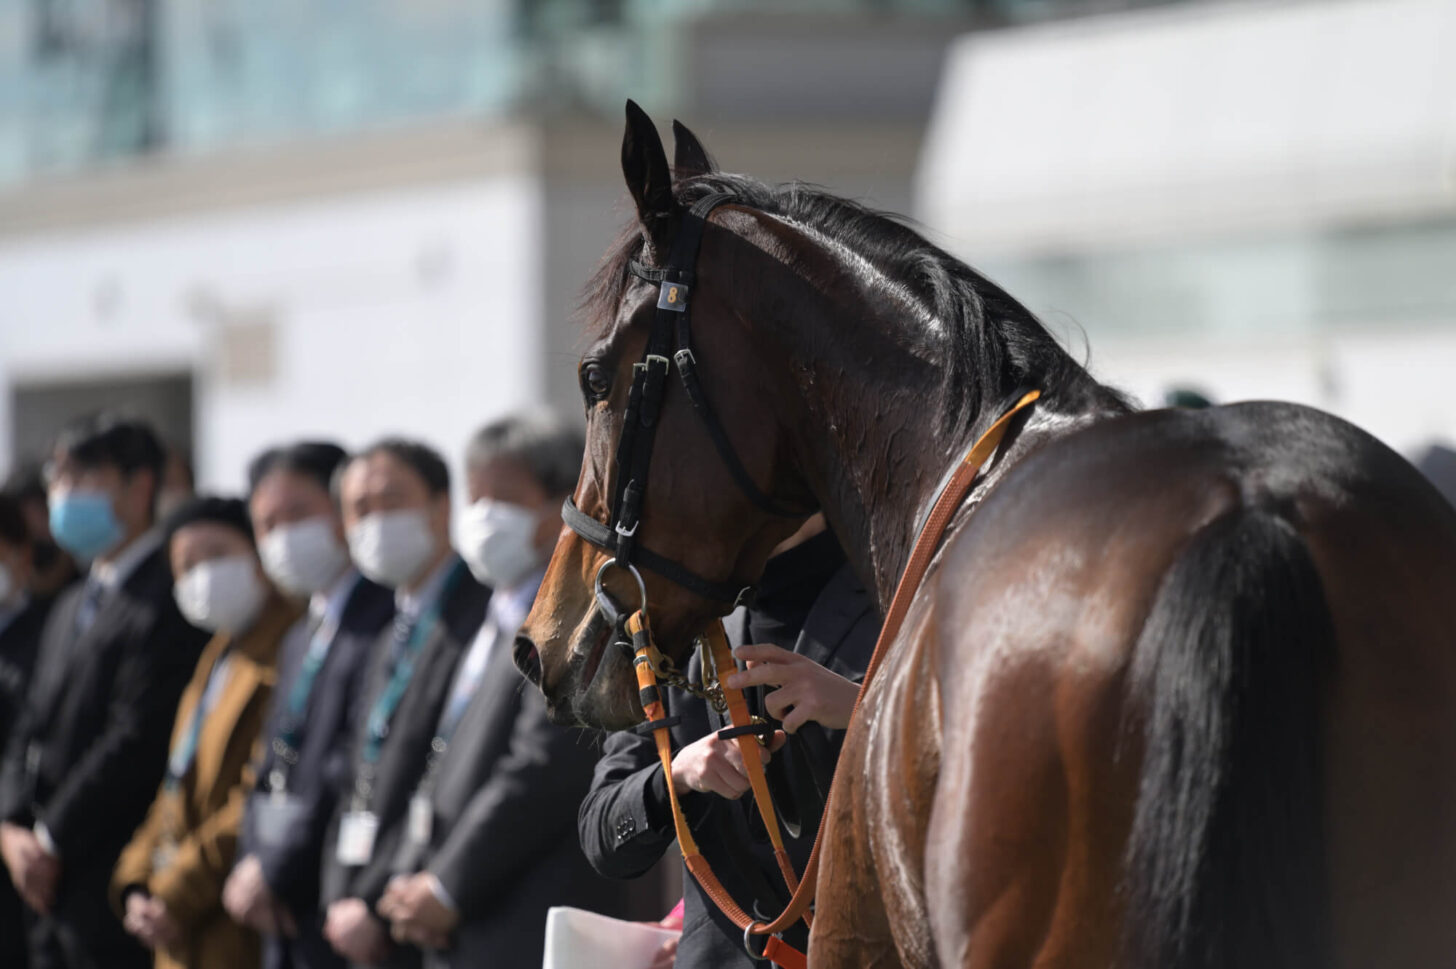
871	421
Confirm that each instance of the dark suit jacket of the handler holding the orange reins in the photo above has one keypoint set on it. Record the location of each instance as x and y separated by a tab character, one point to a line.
625	823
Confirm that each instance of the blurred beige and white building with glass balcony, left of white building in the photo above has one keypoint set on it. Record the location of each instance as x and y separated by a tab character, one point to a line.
257	219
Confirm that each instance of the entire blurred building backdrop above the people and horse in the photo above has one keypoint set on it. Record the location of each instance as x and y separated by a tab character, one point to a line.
260	219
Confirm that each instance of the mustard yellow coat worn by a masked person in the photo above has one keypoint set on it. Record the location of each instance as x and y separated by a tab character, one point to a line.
191	833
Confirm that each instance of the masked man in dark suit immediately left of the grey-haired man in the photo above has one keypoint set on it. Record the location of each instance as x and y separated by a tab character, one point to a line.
395	498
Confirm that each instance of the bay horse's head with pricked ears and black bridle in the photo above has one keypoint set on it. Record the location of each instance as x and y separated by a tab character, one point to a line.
678	522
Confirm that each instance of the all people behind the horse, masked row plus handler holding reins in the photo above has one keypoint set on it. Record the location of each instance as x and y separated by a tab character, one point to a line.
285	728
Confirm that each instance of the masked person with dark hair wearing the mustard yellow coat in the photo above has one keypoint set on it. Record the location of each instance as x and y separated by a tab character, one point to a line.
168	884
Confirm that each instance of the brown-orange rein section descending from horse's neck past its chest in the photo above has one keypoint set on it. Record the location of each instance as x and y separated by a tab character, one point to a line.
921	558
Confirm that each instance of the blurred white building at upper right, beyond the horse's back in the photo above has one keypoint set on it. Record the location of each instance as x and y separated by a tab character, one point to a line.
1253	199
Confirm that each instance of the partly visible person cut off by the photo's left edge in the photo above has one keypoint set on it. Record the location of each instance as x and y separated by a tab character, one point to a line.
23	616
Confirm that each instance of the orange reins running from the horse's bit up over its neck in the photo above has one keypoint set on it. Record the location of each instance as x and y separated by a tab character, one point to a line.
921	558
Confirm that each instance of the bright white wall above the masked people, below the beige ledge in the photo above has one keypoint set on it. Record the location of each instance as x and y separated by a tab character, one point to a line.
411	311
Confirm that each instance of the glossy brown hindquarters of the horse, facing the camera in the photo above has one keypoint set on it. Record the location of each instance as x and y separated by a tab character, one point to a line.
1023	661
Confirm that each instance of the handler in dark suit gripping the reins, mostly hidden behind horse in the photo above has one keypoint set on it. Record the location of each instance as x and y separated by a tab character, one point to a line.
809	638
